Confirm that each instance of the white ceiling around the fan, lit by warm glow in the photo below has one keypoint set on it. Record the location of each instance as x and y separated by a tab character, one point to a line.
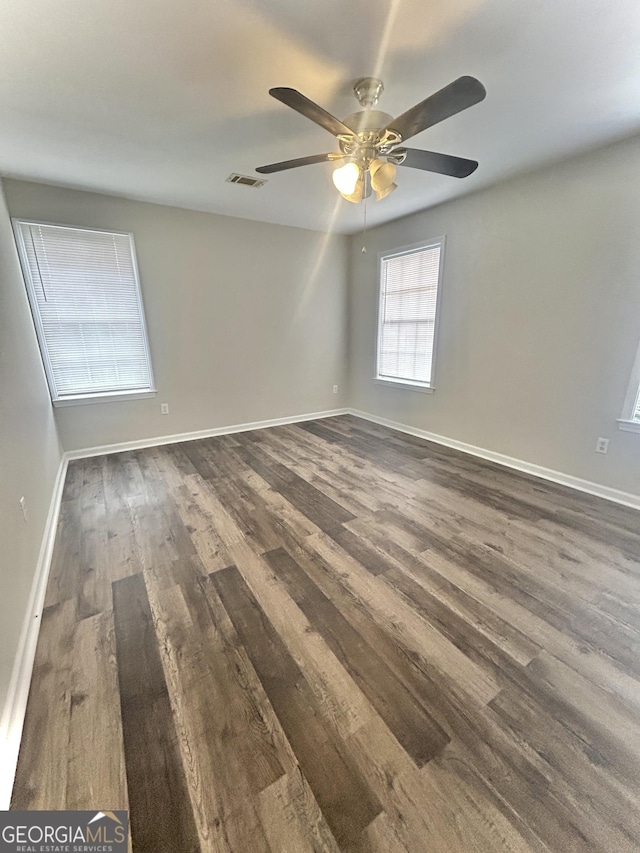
161	99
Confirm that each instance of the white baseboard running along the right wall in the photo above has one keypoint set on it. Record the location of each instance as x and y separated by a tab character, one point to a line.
609	494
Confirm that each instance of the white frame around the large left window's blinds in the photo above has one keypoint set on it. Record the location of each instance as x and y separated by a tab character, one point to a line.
84	398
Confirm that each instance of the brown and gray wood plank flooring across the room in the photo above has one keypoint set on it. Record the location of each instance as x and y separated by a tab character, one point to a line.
332	637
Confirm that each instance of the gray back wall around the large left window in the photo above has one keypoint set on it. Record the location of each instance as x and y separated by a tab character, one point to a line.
246	320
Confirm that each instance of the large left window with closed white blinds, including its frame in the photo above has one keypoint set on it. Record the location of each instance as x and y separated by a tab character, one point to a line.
85	299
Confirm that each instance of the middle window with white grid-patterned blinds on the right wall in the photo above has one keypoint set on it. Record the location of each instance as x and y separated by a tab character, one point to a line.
407	316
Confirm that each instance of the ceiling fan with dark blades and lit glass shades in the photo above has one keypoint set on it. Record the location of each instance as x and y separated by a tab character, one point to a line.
372	142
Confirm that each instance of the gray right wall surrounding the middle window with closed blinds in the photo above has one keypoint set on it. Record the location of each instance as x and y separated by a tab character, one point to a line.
540	317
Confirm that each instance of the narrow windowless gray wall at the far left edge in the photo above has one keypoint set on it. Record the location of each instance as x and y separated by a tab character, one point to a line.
30	452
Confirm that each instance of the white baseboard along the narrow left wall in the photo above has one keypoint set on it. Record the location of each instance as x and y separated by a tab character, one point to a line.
16	702
